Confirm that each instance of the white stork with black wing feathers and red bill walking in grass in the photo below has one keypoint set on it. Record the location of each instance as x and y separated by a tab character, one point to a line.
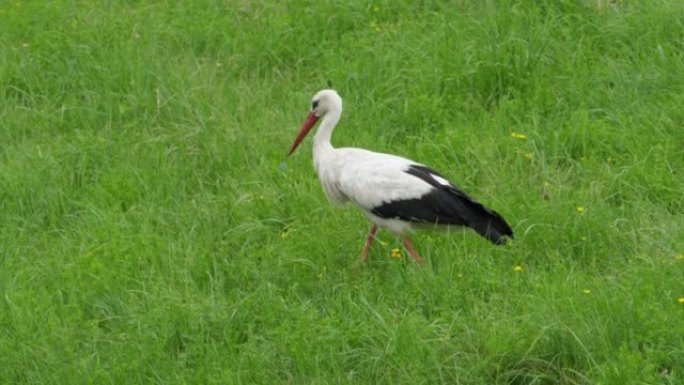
394	192
